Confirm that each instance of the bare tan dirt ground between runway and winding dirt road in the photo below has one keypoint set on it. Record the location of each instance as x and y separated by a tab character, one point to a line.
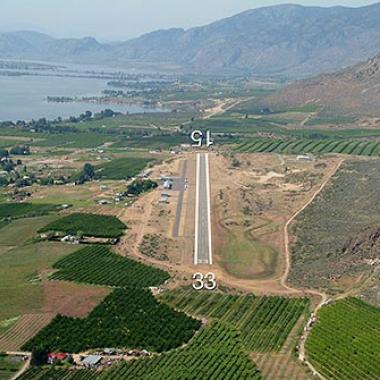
253	195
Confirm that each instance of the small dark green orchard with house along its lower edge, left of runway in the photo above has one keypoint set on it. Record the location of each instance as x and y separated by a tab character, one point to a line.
88	224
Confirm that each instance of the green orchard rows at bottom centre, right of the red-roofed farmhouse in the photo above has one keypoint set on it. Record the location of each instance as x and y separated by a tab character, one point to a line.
216	353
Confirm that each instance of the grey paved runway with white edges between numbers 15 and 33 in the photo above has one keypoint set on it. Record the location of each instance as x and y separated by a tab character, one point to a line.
203	247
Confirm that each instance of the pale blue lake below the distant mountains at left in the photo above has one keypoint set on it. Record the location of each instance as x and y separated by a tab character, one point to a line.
24	97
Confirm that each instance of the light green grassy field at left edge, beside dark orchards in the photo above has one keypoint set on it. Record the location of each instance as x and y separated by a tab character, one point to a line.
20	265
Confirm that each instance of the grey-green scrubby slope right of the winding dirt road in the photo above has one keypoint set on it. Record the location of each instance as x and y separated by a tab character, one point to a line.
340	261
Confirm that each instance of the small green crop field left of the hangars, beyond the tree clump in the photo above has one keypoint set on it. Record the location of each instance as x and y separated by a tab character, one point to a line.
122	168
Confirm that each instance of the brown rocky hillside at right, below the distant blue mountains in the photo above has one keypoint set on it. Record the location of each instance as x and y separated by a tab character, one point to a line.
354	91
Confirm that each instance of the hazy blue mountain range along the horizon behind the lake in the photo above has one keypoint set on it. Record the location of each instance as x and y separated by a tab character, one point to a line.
280	40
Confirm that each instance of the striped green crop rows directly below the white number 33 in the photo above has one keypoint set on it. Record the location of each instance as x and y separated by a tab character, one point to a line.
265	322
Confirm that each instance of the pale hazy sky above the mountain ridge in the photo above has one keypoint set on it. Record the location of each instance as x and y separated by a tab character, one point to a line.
123	19
